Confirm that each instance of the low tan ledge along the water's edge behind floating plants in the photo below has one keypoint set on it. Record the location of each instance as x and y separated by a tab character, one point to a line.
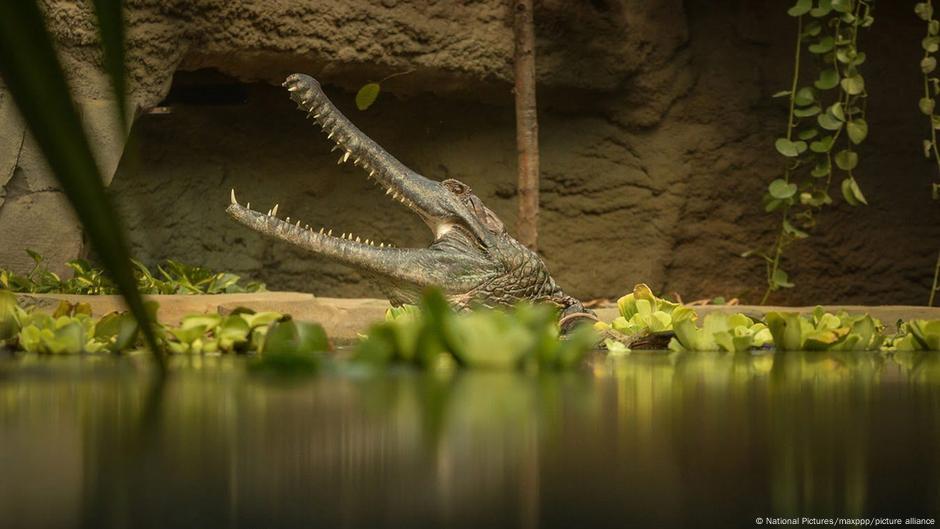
343	318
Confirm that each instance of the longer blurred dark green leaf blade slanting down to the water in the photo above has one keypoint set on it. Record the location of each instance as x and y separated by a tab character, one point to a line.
34	78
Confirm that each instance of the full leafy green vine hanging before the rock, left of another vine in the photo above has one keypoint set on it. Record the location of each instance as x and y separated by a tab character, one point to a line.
825	124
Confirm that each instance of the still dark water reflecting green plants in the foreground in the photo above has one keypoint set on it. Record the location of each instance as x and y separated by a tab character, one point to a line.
648	440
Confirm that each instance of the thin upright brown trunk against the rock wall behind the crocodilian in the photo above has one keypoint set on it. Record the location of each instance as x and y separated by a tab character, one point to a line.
527	125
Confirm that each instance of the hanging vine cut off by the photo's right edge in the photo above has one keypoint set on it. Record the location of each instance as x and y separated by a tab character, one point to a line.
930	44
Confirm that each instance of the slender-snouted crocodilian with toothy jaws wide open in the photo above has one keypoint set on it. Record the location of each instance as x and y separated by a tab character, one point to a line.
472	259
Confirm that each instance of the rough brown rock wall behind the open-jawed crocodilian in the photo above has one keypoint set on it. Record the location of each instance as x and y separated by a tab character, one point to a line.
656	129
